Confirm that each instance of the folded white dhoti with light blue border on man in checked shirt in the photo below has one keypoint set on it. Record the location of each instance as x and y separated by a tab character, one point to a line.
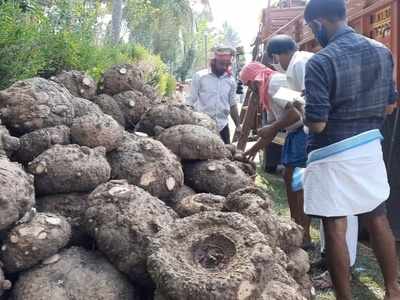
347	178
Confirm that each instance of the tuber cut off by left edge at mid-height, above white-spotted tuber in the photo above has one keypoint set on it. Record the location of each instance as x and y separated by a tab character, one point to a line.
17	195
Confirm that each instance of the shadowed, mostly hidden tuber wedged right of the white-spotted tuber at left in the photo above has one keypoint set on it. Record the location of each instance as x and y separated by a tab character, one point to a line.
72	207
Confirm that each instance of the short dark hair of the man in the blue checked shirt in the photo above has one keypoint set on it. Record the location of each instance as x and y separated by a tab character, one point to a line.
330	9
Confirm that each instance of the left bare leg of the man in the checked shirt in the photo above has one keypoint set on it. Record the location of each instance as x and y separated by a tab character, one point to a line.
338	256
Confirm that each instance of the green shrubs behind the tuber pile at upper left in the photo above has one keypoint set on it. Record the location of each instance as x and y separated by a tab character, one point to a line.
33	43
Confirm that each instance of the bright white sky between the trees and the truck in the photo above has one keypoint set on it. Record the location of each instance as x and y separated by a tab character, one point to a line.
244	16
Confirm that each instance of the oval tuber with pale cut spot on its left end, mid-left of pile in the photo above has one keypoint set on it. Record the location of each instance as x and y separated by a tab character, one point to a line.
71	168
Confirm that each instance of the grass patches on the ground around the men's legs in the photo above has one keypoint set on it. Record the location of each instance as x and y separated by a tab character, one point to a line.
367	281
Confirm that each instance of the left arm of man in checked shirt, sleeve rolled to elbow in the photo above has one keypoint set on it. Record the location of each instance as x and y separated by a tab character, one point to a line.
318	81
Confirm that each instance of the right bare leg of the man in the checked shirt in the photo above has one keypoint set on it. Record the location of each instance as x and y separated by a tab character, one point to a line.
383	243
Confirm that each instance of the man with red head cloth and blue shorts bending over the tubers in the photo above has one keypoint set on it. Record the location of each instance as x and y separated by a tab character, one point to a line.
266	83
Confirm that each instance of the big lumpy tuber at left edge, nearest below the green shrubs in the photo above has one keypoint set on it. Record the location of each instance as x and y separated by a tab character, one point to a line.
35	103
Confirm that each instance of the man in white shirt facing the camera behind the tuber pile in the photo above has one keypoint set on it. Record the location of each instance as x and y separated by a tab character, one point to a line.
214	92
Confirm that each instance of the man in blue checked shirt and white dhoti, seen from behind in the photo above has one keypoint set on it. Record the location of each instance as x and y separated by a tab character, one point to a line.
349	86
